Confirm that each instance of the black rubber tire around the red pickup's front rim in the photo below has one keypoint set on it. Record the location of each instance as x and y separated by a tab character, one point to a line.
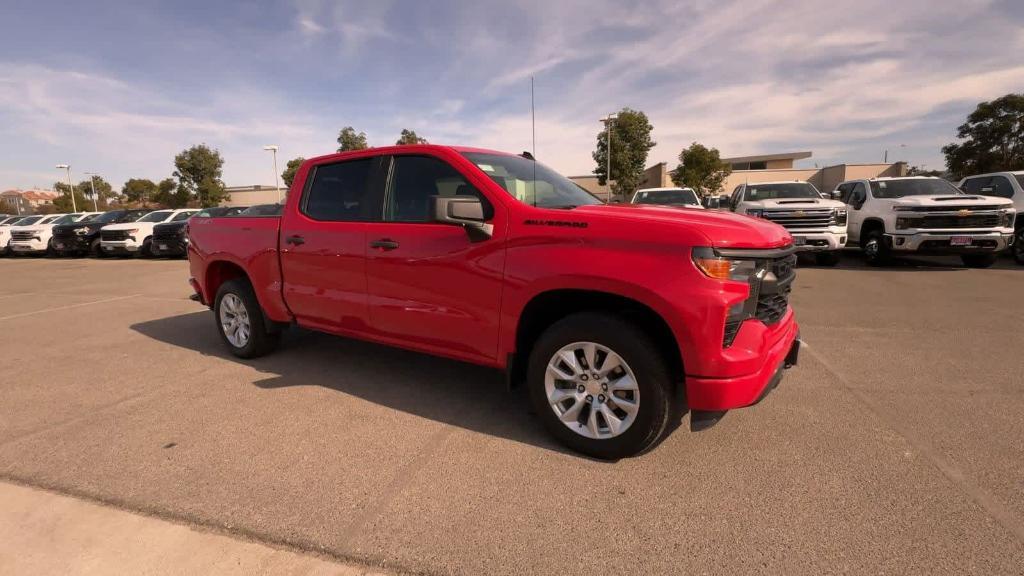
639	353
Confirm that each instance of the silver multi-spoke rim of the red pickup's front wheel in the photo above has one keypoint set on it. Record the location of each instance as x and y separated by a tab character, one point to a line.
592	391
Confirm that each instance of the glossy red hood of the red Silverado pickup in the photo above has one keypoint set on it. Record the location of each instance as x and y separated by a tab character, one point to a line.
718	229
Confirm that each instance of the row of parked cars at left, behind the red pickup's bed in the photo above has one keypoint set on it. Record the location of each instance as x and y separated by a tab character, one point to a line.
126	233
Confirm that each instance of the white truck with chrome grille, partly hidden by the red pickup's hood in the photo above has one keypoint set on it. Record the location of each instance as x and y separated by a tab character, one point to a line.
818	225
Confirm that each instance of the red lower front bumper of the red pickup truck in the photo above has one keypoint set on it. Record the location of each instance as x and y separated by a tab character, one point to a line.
727	394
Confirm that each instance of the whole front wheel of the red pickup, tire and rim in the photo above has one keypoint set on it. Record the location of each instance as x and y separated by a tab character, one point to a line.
601	386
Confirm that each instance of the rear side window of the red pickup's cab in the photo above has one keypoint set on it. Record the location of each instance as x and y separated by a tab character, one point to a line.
342	192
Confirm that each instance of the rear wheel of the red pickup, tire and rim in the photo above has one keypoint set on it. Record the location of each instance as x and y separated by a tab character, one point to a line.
240	321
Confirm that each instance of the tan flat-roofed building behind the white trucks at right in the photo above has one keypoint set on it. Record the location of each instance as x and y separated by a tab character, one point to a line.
777	168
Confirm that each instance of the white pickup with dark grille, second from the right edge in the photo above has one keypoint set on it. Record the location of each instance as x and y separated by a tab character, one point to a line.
926	216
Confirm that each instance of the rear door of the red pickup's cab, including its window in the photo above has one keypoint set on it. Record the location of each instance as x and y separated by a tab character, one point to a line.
323	246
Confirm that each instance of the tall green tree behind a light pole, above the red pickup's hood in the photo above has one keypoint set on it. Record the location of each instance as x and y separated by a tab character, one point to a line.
630	145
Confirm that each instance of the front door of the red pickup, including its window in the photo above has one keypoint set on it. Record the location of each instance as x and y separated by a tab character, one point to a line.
431	285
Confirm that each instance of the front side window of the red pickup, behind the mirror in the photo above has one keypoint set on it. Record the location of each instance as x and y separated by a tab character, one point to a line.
414	183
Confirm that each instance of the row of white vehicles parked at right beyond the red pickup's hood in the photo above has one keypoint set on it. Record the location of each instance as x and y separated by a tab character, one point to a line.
884	217
